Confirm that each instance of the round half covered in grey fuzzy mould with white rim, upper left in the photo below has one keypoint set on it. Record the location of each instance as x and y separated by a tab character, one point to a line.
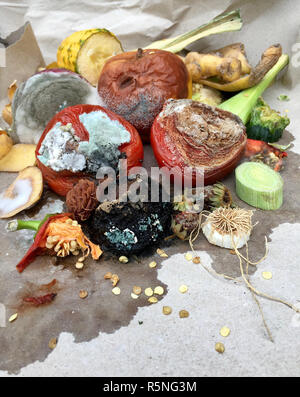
44	94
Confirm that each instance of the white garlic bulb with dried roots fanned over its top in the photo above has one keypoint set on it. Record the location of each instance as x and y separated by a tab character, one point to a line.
228	228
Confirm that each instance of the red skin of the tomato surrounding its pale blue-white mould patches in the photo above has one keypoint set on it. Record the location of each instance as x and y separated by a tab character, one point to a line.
63	181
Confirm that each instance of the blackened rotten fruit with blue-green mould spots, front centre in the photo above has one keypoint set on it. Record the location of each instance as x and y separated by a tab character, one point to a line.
130	227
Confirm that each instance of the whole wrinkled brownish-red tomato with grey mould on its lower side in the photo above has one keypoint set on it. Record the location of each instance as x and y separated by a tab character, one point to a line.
136	84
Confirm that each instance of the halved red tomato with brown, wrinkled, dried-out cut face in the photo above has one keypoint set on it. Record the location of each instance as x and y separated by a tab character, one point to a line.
191	134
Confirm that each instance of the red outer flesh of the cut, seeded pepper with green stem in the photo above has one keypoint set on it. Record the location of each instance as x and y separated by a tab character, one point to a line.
39	245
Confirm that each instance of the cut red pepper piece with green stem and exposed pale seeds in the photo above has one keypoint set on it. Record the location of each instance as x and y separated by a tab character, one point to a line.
56	235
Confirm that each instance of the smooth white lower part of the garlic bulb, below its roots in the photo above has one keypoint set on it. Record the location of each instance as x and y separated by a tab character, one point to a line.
224	240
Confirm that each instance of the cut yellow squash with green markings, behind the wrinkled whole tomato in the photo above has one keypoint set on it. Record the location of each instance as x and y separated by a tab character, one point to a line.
86	51
